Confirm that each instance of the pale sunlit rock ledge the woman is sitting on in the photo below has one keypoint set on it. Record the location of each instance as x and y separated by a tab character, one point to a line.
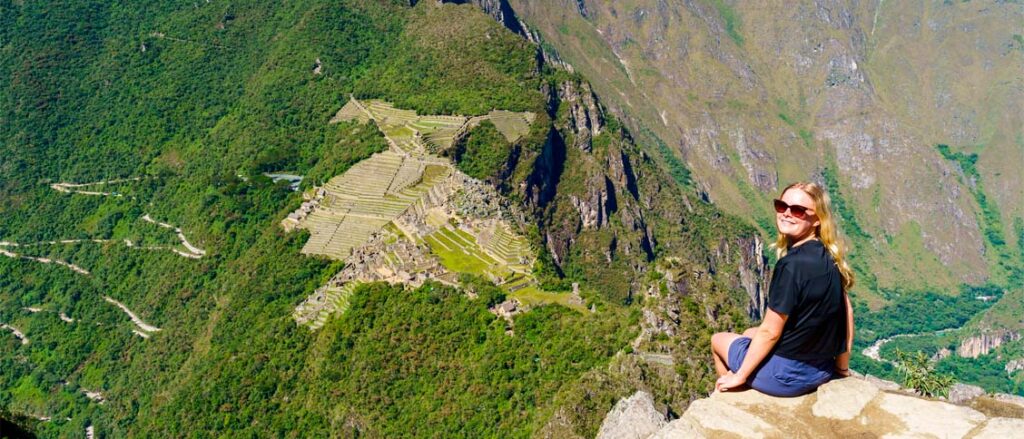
849	408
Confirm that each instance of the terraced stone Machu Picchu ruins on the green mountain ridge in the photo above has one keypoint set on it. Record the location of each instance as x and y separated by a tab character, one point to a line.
408	215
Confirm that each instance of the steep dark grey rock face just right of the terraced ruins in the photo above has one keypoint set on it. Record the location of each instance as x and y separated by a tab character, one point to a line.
605	183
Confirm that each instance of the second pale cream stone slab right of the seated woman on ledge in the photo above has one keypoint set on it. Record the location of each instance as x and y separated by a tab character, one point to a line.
930	418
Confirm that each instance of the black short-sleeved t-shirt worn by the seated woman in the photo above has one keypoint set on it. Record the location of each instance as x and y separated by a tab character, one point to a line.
807	287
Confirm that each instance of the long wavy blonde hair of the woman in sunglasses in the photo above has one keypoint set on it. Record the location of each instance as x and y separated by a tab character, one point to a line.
827	232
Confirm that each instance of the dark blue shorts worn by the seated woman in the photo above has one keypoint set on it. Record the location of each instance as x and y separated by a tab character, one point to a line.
780	376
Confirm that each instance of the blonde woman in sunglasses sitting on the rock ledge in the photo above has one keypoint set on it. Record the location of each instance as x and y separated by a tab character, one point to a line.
807	333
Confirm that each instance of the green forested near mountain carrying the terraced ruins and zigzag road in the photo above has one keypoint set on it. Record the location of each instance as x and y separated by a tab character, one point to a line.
149	288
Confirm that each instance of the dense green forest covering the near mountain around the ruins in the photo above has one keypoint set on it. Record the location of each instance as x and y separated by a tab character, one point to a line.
200	101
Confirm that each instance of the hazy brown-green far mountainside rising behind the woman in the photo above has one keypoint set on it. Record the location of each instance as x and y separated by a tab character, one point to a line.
754	98
